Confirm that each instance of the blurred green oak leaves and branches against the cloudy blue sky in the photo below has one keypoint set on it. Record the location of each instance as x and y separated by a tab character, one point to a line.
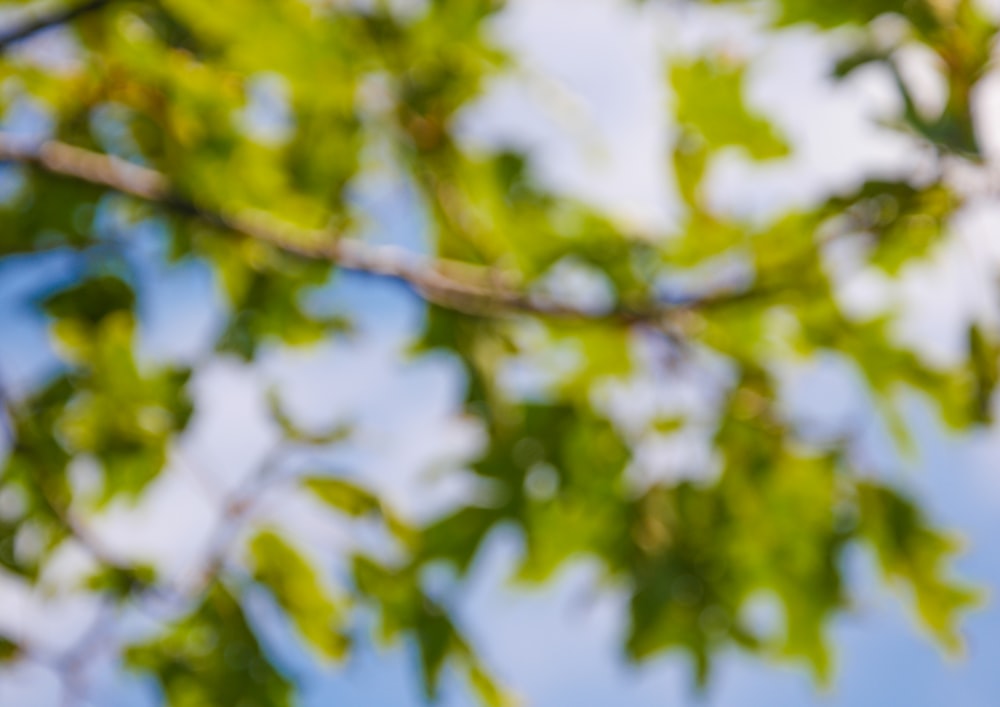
232	133
